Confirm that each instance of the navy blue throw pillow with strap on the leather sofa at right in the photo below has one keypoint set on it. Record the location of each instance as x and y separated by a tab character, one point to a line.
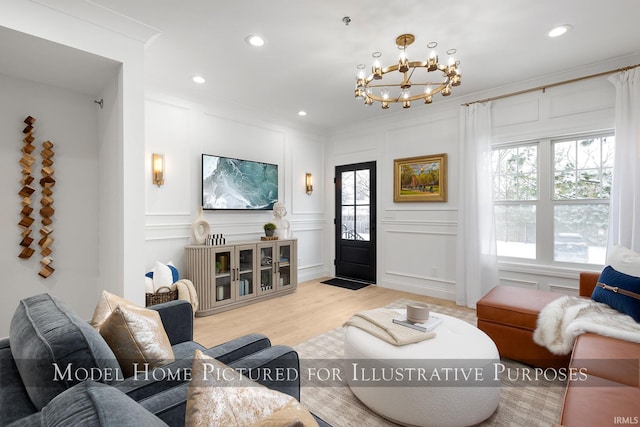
623	303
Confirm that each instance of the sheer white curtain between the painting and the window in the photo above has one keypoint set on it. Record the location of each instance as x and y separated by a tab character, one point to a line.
476	260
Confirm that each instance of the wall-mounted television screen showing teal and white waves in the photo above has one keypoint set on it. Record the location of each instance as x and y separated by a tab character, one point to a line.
229	183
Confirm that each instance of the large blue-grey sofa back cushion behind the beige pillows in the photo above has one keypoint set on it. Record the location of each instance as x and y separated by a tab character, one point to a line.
54	349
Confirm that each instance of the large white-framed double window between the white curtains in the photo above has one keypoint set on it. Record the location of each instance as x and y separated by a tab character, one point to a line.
551	198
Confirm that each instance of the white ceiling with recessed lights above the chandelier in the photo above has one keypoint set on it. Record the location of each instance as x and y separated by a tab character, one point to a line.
310	57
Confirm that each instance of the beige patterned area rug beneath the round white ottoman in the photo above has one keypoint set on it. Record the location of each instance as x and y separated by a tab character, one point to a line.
521	402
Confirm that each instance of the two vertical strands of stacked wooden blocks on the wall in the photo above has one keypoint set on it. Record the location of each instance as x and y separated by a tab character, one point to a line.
46	201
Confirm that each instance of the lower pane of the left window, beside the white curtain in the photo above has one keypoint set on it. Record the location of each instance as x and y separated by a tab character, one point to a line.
516	230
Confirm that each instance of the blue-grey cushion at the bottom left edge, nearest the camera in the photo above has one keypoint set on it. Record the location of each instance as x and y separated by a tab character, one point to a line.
91	404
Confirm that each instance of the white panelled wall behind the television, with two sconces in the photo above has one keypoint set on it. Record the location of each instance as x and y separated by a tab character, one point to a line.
183	131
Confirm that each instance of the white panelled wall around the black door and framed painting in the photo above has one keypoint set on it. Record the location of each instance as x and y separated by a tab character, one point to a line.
416	241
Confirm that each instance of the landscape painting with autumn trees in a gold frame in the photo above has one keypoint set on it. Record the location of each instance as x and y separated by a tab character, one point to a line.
420	179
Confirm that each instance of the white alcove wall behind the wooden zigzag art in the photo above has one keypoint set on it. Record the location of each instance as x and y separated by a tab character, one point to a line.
70	121
